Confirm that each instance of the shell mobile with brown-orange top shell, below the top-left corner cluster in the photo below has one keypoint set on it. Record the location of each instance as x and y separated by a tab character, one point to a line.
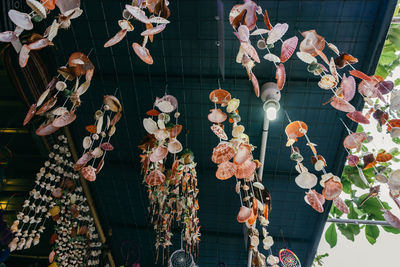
58	116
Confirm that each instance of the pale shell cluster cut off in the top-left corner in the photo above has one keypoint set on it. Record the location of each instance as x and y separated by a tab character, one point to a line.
40	9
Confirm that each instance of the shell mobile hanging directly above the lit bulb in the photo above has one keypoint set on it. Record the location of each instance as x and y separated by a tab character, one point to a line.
243	18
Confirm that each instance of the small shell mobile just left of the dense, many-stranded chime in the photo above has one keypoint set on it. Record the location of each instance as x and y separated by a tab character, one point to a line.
97	143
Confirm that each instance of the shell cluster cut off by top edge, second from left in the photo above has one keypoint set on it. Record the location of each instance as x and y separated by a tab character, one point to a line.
159	13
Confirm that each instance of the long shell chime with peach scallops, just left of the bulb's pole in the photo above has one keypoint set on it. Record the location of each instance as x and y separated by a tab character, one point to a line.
234	158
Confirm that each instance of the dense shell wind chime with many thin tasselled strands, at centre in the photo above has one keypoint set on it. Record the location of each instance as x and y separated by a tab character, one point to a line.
172	192
